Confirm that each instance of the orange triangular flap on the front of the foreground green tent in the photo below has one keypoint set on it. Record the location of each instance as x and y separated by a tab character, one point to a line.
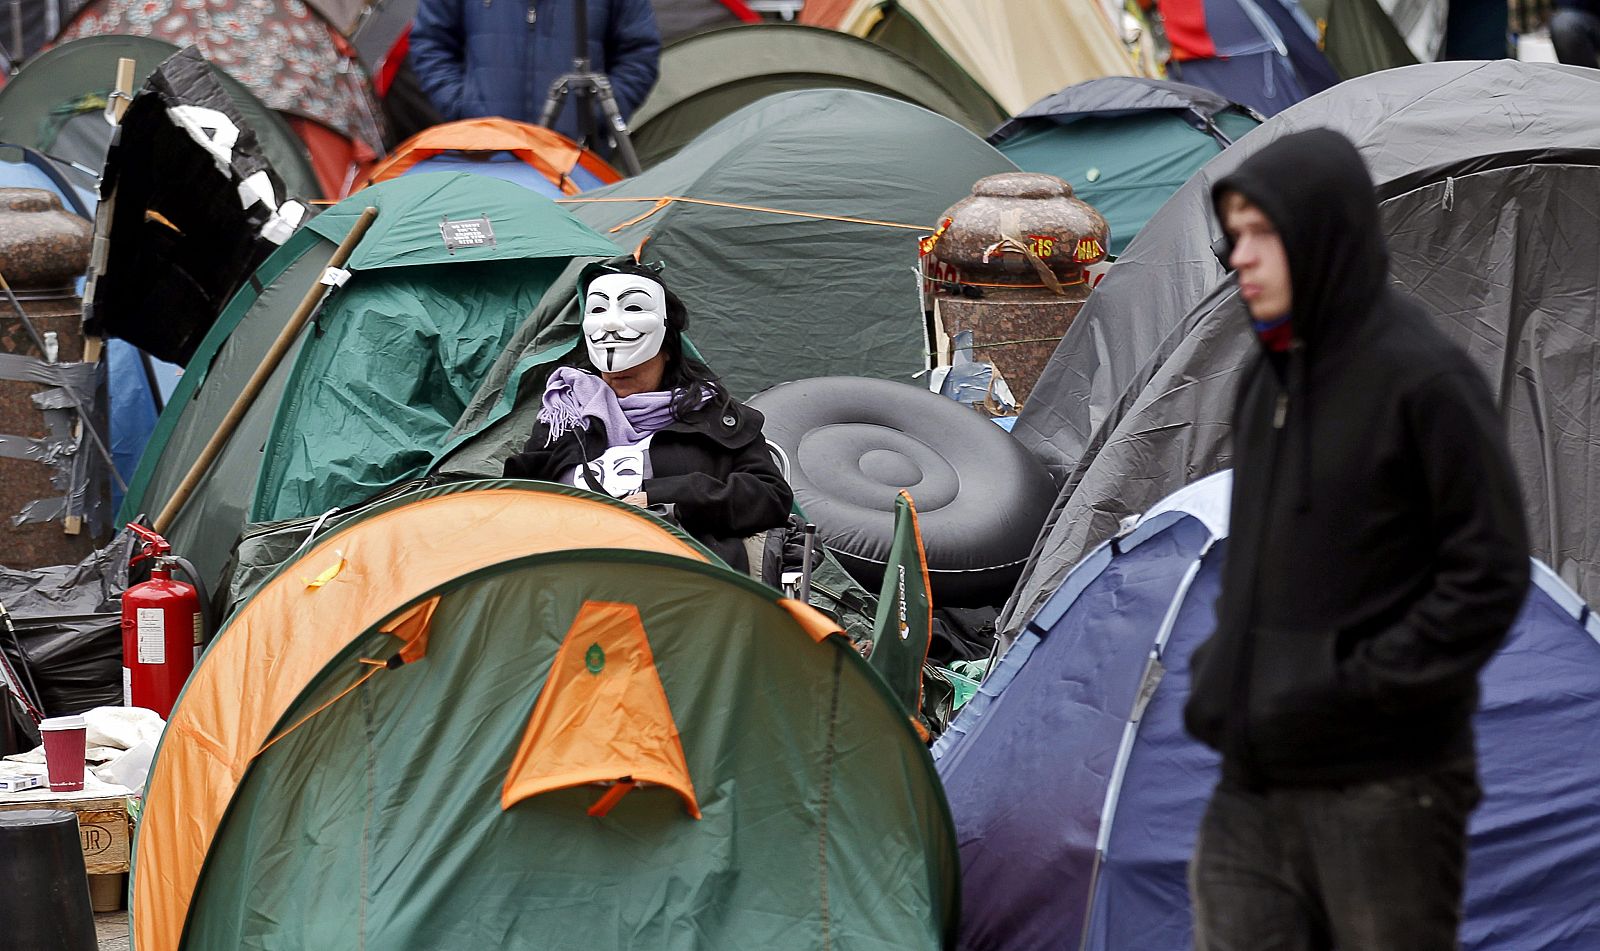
602	716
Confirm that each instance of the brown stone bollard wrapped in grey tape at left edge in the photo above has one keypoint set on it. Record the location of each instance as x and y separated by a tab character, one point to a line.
54	480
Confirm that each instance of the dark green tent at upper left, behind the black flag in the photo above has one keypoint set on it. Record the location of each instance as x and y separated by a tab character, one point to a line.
55	105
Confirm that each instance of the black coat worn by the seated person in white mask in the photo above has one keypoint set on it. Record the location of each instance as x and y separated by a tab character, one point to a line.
714	468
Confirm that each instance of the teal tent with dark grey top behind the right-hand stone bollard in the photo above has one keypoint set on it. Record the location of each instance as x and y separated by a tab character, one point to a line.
1124	143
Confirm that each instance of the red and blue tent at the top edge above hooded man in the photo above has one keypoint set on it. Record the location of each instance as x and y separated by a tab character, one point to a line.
1263	55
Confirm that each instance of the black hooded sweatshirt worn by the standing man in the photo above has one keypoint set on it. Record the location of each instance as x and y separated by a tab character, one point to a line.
1378	552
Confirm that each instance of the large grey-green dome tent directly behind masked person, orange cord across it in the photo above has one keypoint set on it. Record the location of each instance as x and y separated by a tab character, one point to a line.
791	231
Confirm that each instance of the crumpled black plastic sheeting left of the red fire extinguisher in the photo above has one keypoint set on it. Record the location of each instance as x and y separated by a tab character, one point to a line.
68	625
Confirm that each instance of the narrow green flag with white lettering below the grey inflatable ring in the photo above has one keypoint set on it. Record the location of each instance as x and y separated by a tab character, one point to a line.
900	644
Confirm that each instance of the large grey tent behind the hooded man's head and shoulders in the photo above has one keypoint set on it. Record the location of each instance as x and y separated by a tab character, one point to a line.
1490	185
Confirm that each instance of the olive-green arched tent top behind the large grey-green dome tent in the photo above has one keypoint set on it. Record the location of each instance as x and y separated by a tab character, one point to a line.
711	76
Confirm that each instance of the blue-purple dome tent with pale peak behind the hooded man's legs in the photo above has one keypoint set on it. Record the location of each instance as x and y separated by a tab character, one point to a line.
1078	793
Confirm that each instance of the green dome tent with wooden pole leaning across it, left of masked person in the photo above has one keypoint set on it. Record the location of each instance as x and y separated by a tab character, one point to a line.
370	390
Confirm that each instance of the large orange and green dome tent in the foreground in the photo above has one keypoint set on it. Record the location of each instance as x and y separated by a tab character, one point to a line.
511	715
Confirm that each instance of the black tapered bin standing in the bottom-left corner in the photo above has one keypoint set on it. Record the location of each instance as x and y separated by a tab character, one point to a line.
46	901
